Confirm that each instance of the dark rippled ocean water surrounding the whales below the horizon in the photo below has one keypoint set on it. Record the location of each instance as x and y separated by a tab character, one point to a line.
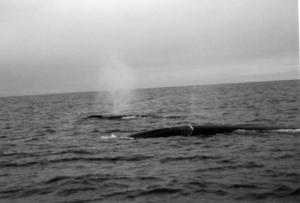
51	151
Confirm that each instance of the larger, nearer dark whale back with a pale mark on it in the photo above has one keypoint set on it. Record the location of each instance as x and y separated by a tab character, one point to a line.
201	130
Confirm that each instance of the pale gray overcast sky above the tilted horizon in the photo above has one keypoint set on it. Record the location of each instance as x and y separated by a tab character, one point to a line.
51	46
